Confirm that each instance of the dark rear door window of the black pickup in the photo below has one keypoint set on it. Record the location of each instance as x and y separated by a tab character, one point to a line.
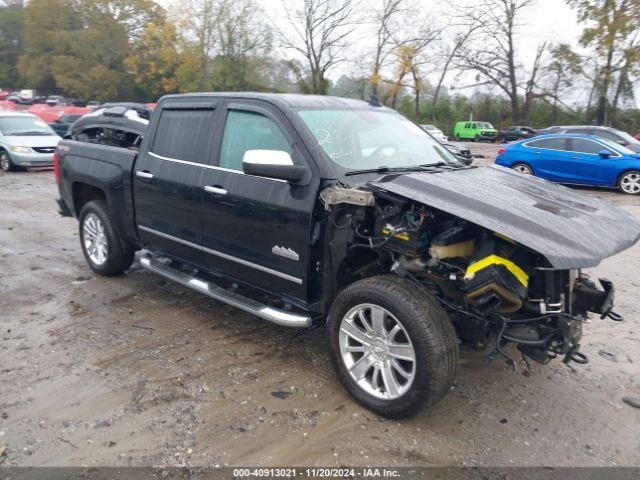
184	134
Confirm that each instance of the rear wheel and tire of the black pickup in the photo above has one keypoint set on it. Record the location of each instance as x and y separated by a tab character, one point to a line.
101	245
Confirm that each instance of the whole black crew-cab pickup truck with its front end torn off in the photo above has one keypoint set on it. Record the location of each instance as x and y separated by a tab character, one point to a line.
302	209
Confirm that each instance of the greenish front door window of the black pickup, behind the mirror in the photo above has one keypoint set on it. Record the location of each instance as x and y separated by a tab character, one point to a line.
245	131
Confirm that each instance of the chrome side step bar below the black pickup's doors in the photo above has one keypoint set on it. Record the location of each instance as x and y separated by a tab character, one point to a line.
232	298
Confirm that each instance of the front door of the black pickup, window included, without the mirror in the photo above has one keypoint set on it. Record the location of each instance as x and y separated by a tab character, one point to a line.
257	229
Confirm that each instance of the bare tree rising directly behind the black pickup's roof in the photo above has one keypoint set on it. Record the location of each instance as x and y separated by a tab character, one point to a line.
321	29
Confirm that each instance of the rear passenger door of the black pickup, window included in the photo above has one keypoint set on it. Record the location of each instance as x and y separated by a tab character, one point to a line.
168	178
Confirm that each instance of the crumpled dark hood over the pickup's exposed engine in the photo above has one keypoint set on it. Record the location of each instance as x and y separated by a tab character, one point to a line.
570	229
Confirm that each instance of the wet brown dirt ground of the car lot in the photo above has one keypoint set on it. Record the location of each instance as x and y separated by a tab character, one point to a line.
132	370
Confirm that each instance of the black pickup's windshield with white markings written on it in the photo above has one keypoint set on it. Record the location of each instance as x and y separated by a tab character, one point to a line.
365	139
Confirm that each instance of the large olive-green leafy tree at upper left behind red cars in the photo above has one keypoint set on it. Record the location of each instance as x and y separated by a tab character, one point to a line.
65	44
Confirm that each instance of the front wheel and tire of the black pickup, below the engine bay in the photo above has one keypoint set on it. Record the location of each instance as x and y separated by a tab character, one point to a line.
393	347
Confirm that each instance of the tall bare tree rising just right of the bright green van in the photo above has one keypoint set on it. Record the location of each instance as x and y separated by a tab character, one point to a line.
494	58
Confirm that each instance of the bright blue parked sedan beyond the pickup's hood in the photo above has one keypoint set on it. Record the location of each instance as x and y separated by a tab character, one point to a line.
576	160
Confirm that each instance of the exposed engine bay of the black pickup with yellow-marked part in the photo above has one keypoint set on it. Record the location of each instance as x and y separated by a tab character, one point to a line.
495	289
